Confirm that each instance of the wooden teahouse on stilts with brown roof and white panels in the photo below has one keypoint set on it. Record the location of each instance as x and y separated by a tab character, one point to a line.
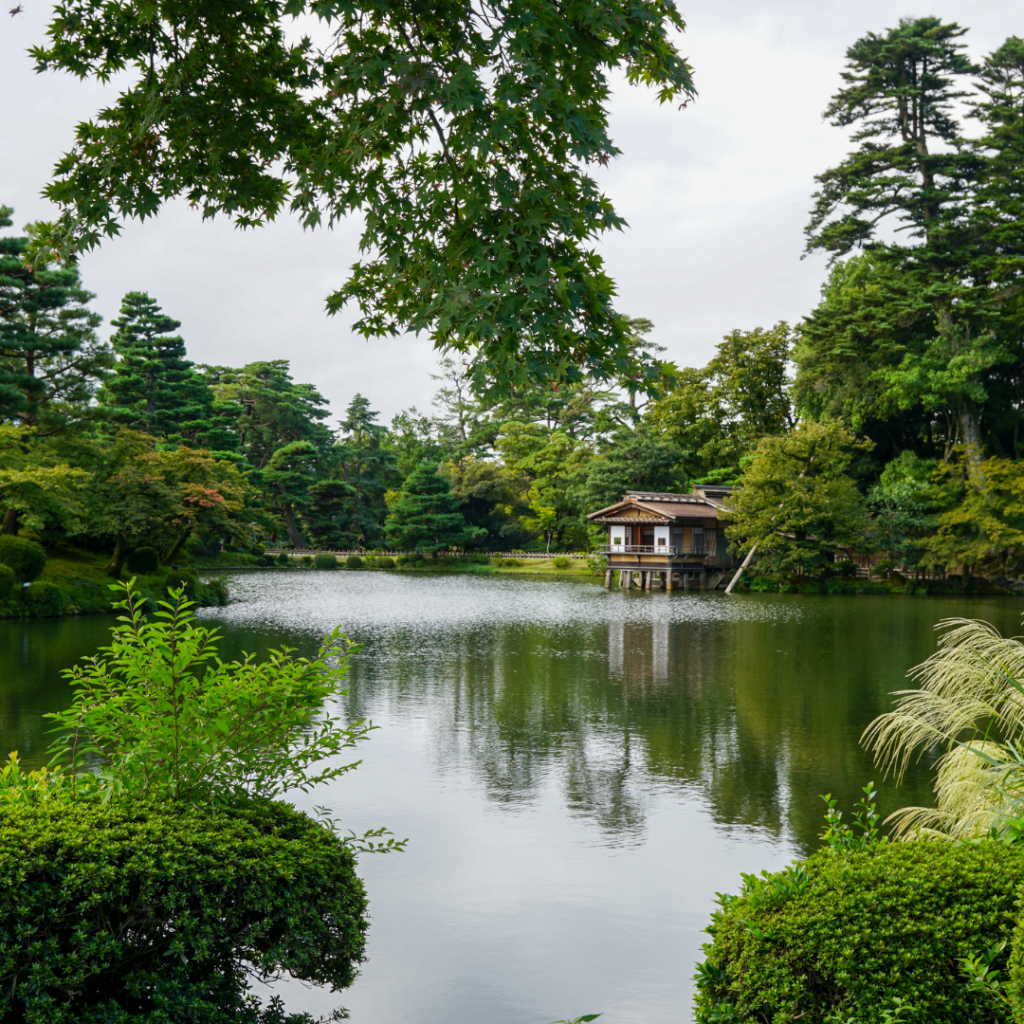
670	539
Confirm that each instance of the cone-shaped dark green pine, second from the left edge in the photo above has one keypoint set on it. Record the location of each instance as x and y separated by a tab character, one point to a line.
154	388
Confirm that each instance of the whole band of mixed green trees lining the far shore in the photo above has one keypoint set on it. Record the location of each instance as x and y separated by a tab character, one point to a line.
887	422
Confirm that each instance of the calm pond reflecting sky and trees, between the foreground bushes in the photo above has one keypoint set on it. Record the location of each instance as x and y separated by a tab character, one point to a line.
578	772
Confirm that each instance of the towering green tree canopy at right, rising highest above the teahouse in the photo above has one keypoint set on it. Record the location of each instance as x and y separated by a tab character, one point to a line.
936	330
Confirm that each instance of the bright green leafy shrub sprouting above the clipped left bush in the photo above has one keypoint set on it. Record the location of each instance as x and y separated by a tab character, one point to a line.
157	715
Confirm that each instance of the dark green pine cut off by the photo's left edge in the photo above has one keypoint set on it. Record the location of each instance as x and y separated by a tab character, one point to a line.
51	360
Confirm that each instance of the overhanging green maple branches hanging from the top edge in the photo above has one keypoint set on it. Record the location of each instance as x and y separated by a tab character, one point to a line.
462	133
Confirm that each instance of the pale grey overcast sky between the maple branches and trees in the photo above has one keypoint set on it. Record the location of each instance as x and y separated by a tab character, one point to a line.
716	196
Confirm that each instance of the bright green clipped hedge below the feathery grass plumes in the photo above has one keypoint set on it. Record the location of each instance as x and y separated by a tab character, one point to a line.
842	935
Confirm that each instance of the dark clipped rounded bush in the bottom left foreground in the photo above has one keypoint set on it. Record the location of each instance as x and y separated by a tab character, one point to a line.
205	890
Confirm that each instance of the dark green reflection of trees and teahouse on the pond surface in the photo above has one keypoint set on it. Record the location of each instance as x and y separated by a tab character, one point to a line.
758	718
